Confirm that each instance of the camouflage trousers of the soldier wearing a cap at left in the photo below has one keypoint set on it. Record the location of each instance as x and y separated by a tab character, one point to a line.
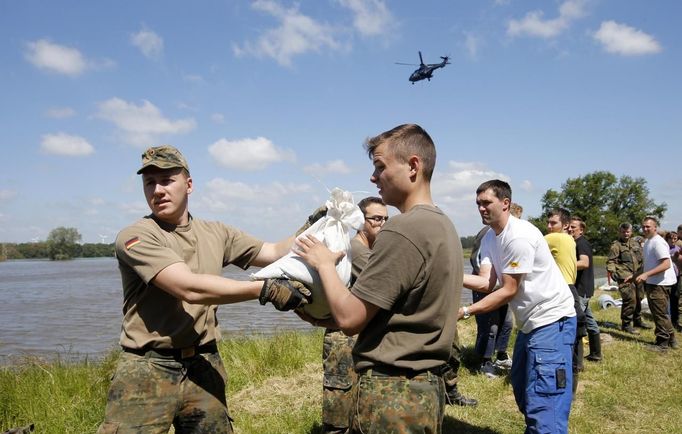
149	393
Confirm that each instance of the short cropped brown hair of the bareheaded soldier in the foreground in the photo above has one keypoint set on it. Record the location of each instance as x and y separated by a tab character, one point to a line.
407	140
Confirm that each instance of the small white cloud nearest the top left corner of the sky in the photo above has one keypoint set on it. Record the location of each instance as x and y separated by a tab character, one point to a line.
57	58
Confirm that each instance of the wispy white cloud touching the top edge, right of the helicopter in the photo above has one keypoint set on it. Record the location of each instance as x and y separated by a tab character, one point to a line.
533	23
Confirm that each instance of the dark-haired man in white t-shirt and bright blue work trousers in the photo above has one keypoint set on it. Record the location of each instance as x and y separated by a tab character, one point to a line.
515	255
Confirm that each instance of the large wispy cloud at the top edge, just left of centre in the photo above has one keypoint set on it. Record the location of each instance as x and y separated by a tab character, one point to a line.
296	34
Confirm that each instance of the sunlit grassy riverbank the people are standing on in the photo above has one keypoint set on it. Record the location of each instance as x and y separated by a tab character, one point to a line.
275	387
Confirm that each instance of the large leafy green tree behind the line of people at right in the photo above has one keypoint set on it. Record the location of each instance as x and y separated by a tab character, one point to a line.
603	202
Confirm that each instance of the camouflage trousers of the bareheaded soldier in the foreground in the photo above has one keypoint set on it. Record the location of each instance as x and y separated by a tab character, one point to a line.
398	405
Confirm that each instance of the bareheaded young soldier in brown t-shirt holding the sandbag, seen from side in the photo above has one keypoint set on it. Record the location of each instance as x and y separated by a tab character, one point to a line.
402	303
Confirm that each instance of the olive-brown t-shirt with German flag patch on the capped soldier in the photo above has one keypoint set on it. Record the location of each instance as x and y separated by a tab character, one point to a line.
151	316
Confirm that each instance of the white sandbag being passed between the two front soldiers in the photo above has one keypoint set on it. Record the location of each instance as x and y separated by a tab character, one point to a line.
334	230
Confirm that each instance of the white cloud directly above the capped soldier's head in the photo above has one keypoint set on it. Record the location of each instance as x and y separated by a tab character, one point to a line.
141	125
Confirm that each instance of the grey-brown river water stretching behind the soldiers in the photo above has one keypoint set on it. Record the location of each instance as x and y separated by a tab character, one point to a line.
73	309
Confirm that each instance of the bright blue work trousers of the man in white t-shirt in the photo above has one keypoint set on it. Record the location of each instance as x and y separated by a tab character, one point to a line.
542	377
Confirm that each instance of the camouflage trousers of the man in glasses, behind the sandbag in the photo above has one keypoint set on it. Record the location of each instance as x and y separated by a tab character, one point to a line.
339	376
